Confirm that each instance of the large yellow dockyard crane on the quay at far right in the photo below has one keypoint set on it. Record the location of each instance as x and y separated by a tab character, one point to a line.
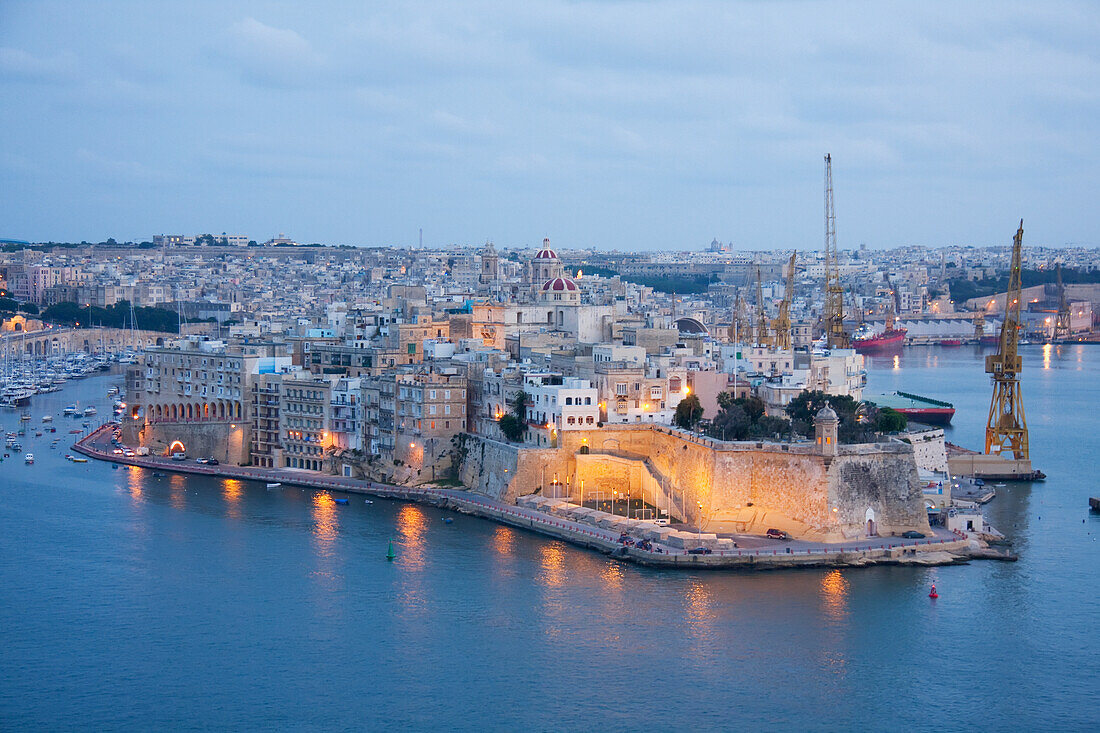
1007	430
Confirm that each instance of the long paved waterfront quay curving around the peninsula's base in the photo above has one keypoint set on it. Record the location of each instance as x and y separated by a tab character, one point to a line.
943	549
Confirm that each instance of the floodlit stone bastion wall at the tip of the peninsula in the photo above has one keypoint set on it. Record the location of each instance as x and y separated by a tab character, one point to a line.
718	486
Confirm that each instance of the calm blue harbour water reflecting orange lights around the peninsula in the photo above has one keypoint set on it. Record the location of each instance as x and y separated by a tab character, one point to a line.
129	601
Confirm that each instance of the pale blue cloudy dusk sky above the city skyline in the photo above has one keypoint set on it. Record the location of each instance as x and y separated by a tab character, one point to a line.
629	126
